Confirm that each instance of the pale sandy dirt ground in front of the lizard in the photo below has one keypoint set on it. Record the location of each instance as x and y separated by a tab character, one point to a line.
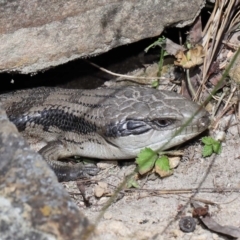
148	214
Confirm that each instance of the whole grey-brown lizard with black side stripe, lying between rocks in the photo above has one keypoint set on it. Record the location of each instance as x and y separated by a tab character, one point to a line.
102	123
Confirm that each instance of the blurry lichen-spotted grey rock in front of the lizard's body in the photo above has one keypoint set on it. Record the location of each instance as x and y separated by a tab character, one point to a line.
33	205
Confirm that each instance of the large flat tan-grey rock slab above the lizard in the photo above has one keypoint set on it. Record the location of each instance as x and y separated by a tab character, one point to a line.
36	35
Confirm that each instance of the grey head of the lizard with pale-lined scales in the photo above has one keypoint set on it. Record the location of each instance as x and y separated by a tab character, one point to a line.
150	118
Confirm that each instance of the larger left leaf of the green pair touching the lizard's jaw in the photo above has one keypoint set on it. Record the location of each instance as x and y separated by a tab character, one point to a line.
146	160
